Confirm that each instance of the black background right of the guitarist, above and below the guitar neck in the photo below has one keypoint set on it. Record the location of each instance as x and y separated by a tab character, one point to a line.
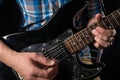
111	55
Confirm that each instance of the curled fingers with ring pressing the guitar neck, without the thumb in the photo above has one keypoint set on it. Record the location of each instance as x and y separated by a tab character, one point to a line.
103	37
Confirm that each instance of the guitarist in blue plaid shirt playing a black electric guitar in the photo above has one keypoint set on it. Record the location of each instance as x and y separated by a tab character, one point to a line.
41	10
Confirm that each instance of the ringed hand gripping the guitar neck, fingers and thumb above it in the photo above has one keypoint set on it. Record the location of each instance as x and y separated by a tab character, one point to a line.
103	37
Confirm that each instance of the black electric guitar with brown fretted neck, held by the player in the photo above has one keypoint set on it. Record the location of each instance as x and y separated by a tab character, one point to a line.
60	38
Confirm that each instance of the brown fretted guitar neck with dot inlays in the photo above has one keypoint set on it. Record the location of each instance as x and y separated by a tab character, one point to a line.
84	37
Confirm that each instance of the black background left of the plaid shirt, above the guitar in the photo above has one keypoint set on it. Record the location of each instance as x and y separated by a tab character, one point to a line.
10	17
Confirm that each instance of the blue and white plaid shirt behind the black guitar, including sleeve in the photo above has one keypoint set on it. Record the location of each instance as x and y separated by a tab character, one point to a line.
42	10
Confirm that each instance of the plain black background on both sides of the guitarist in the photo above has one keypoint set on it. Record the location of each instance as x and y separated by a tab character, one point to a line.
10	18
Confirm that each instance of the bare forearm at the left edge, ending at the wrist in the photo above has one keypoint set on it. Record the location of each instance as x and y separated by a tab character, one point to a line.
6	54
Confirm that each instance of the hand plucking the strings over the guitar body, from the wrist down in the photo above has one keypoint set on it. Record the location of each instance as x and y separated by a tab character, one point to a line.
32	66
